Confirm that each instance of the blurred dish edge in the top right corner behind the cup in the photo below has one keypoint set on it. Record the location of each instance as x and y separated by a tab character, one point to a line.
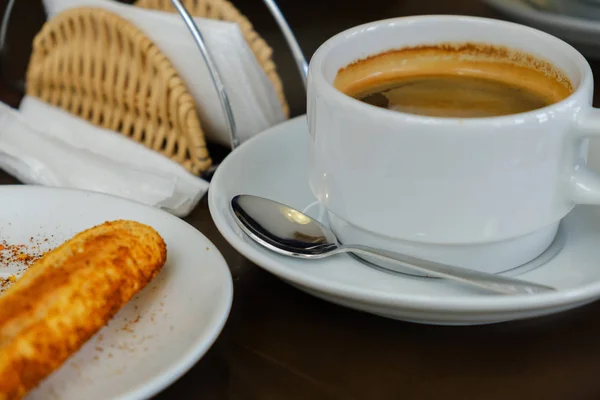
581	33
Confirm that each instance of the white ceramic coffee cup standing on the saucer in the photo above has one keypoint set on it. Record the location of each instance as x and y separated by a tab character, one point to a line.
481	193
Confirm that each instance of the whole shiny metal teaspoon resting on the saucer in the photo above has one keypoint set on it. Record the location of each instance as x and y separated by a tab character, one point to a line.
287	231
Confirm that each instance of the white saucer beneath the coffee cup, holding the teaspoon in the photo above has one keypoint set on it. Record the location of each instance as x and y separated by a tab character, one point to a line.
273	165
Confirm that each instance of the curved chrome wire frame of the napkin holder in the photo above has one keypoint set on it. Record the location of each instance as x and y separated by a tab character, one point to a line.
215	76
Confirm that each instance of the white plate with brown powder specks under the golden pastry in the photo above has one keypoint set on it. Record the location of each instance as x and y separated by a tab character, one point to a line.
159	334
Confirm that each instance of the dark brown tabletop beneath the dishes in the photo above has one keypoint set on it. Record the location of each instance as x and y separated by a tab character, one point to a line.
280	343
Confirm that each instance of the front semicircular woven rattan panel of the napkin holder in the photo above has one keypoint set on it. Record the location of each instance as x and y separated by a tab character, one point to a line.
98	66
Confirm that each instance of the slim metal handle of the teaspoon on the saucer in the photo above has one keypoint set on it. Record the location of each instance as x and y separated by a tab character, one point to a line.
494	283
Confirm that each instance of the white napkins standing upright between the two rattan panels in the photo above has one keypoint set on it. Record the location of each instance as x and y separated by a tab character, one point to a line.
253	98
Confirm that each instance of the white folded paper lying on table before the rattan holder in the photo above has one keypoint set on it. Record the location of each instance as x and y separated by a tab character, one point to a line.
44	145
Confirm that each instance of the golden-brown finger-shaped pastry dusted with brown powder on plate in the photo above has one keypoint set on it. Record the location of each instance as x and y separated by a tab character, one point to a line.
68	295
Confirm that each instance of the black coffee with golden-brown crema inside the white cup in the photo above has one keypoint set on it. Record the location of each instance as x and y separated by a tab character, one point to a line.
454	80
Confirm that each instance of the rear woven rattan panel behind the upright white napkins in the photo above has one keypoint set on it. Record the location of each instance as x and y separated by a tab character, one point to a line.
225	11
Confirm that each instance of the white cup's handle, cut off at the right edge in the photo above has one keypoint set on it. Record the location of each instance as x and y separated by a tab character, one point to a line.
585	183
